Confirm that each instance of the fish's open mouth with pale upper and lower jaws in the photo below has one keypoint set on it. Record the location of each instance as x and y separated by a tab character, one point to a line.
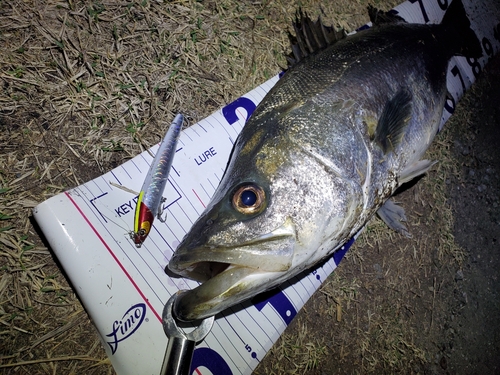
231	274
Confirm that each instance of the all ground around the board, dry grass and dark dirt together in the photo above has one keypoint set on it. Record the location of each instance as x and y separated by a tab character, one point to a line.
88	85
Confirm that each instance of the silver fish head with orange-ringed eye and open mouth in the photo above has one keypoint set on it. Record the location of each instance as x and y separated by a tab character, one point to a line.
265	223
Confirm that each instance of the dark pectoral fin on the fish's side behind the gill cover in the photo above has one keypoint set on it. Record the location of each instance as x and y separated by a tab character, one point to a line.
393	121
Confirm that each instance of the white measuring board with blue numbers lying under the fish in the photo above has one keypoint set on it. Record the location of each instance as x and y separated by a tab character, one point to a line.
124	288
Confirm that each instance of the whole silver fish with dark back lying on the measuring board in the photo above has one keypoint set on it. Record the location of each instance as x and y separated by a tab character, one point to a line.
346	125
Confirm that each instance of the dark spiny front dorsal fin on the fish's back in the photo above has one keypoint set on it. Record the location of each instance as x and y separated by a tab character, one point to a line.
310	37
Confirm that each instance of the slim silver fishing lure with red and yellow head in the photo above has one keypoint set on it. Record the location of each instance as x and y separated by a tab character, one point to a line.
150	198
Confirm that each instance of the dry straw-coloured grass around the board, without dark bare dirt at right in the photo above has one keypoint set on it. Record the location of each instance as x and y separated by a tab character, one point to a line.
87	85
